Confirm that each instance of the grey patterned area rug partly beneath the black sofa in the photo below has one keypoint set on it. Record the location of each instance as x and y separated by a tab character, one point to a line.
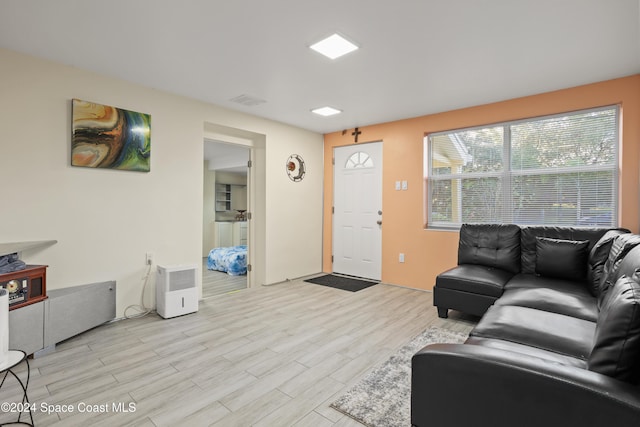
383	397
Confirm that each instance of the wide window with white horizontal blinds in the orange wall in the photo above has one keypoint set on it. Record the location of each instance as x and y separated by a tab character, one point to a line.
556	170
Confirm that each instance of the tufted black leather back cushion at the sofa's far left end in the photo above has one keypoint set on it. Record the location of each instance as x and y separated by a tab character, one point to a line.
491	245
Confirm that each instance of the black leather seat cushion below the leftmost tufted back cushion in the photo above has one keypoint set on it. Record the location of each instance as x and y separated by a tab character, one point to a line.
476	279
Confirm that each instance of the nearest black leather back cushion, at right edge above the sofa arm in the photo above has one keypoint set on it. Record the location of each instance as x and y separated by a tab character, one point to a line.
616	349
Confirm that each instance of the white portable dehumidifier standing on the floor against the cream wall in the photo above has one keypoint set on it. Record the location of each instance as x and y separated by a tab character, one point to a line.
176	291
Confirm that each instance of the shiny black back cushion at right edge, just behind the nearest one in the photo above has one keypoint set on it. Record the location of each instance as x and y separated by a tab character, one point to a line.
611	271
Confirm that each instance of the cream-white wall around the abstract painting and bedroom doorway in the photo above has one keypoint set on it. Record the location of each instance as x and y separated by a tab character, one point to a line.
105	220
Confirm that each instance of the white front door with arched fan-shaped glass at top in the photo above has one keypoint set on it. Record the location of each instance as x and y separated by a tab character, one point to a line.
357	218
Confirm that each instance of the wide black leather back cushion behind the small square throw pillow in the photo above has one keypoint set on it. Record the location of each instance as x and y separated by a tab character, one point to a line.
529	235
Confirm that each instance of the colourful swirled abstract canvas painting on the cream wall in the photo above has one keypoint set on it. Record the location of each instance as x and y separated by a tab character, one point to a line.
110	137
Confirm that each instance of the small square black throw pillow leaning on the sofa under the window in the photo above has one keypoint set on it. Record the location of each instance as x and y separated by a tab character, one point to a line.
563	259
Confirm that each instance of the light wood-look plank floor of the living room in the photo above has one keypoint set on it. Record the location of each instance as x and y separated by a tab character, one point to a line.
270	356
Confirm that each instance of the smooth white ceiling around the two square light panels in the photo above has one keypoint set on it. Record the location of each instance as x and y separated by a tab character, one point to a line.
416	57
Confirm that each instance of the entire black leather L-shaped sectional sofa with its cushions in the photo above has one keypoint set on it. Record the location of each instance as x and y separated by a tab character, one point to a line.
558	343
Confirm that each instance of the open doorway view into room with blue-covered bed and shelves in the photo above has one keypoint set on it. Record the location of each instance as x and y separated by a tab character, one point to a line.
225	227
